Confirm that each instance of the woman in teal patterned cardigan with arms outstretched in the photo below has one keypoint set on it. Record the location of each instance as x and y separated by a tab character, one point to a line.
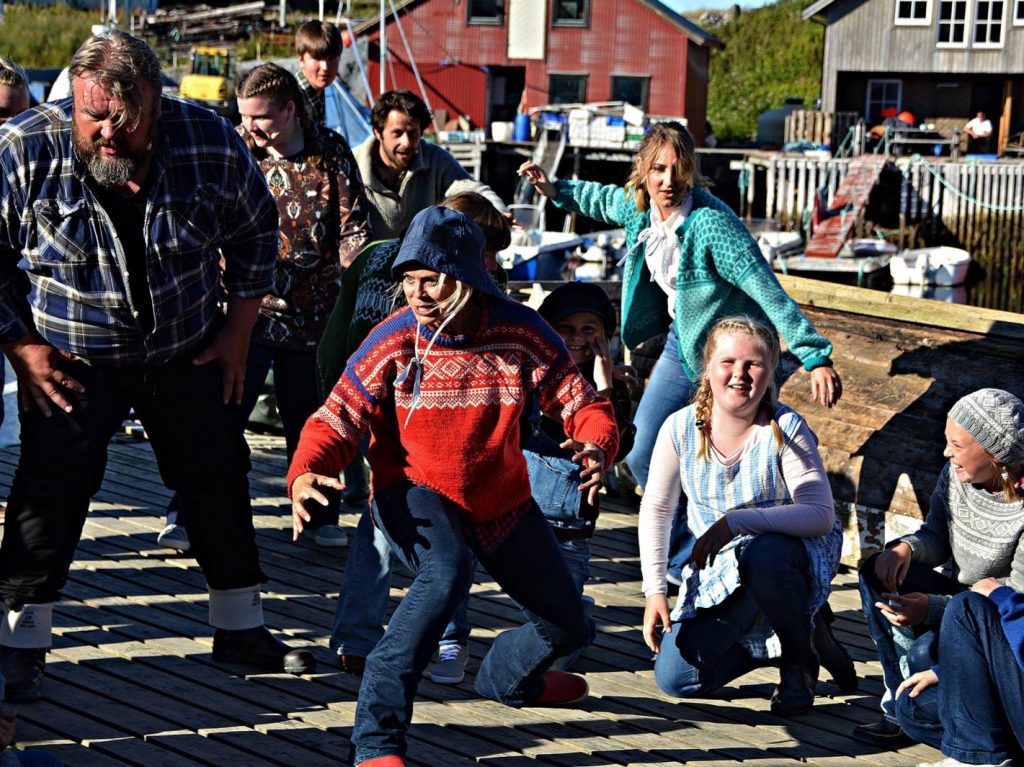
691	262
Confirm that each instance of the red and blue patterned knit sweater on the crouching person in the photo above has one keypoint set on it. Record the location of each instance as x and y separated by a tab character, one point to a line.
463	438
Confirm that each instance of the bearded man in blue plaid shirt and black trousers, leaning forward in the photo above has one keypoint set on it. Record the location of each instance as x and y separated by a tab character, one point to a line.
116	209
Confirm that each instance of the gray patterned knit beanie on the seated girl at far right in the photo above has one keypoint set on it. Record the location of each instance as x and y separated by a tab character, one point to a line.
996	419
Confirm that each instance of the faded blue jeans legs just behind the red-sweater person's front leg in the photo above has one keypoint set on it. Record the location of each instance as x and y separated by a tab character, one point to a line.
359	619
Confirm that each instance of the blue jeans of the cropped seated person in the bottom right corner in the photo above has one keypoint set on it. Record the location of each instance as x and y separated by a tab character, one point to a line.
975	714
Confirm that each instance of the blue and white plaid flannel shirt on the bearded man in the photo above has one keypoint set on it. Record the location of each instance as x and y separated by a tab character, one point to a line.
63	270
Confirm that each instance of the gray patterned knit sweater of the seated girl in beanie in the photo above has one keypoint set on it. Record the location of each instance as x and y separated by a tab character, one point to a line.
983	533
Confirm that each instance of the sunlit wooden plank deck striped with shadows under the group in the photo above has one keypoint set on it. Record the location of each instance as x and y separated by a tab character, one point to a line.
131	680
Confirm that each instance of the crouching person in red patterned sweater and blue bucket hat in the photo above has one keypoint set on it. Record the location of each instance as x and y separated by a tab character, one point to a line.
441	386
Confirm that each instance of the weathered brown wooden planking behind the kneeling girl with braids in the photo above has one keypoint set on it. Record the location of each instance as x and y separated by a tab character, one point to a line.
905	362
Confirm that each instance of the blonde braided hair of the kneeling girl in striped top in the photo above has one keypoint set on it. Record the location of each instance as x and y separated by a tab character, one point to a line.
704	400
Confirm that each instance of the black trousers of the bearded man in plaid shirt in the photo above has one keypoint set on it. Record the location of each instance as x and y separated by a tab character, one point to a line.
201	452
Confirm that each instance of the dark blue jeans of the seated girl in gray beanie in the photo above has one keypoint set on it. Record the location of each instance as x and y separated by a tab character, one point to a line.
894	643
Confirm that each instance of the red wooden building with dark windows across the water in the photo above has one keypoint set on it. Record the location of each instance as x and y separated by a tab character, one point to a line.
477	57
